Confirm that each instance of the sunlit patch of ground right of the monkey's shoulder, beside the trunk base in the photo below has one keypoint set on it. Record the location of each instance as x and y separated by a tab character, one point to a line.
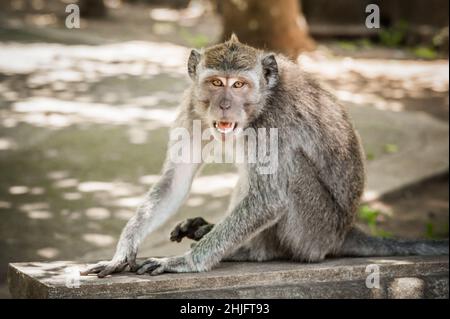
364	82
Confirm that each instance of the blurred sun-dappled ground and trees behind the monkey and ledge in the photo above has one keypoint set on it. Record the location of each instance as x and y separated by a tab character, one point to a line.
84	112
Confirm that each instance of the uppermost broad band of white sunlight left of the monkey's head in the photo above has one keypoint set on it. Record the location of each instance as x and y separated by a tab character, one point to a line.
88	59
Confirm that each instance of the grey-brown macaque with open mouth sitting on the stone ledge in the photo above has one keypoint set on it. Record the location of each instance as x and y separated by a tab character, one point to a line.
304	211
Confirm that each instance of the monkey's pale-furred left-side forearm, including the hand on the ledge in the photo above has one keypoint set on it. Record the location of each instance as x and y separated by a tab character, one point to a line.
163	200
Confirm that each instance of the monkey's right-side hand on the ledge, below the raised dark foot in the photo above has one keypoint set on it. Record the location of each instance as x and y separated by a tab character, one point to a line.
157	266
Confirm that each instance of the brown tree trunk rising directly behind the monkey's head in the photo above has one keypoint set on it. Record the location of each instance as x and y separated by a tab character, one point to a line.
272	25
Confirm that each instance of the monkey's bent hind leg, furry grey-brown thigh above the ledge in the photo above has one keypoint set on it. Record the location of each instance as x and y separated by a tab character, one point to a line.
315	225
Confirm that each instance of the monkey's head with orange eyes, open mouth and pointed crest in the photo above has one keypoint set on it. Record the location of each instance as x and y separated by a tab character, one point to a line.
231	83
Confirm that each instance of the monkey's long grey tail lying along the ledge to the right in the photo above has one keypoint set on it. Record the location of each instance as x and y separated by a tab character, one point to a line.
359	244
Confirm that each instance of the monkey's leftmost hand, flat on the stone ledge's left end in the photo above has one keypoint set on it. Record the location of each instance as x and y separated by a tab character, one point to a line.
117	264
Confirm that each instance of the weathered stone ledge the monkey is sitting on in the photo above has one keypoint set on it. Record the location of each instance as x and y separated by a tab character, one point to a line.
400	277
